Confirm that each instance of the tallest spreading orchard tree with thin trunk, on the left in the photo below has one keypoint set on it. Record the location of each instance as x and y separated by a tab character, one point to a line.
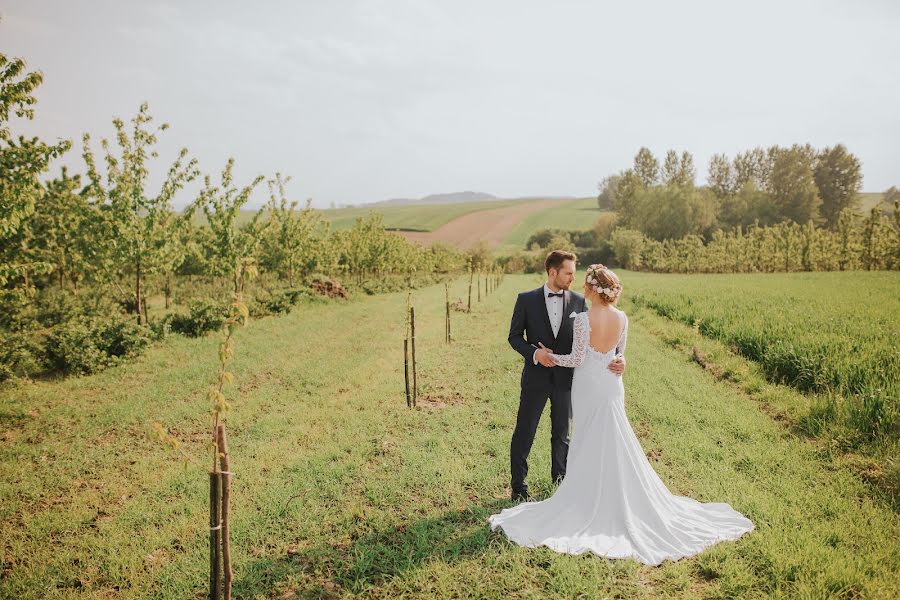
139	225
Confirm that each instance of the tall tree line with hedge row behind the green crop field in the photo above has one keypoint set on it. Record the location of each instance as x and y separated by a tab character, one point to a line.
775	209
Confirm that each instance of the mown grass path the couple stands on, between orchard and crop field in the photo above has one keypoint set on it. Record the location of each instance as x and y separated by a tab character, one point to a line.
340	490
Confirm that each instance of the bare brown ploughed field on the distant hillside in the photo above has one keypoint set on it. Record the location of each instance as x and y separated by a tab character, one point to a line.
490	226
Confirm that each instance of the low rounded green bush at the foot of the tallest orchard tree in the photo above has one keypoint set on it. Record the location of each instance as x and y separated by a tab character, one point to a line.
90	344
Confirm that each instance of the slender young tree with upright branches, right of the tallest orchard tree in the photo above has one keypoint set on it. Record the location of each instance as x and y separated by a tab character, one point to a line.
228	245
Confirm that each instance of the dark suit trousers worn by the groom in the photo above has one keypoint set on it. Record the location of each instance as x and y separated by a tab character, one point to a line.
531	406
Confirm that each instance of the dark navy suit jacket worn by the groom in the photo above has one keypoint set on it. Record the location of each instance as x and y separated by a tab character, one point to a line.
530	324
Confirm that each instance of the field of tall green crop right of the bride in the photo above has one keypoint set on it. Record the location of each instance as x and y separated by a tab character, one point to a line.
800	332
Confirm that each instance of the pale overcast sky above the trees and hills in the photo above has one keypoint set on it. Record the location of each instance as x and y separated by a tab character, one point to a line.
367	100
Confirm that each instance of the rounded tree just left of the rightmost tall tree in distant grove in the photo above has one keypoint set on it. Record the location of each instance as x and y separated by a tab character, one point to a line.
793	187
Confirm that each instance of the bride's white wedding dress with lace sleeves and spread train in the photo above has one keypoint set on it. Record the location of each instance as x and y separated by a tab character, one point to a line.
611	501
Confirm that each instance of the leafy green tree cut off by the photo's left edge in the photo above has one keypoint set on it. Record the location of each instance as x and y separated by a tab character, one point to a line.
21	162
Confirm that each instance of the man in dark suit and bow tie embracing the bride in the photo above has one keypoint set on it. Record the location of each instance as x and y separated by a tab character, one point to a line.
545	314
